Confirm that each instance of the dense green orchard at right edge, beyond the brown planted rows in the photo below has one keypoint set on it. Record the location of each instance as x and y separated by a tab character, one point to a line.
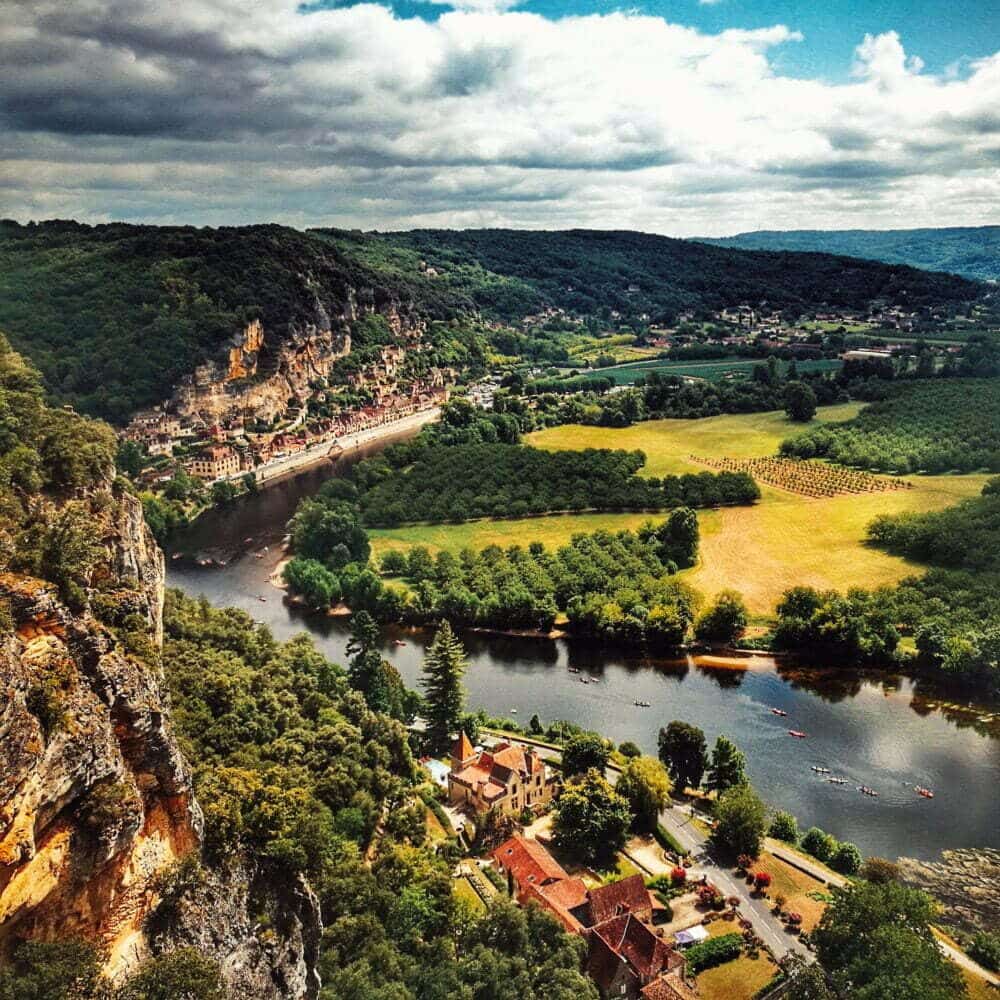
931	426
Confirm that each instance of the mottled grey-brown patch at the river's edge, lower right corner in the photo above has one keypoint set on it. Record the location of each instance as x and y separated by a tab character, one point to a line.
966	882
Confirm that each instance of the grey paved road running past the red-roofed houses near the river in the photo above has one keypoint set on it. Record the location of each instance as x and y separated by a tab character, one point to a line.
679	825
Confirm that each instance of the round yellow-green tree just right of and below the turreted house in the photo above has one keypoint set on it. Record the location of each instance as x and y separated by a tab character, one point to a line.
591	819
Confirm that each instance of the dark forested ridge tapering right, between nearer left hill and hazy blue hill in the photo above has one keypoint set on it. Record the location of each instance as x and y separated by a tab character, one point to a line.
588	271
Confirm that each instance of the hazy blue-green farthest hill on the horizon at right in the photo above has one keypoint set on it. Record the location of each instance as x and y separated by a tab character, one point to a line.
973	252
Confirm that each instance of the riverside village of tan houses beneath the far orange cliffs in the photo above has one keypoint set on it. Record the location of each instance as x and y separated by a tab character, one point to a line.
258	433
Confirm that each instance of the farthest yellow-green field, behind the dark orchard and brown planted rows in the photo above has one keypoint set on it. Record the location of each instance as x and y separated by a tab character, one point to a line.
668	443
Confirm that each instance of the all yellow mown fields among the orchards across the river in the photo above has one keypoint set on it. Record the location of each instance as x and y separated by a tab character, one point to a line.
784	540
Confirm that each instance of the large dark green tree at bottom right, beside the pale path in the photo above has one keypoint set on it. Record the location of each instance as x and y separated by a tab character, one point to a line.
875	941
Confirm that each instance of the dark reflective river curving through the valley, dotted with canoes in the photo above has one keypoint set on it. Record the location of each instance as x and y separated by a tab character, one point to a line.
872	729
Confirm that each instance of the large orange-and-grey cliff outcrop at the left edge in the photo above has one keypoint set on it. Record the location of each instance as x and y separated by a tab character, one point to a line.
95	798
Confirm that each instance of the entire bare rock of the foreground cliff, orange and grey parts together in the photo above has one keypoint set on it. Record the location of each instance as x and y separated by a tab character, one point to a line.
96	800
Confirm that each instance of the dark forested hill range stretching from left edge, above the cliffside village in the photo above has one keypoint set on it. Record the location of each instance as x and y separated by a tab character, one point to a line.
113	315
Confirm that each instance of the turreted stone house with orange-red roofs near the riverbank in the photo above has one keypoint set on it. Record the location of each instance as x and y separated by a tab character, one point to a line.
507	778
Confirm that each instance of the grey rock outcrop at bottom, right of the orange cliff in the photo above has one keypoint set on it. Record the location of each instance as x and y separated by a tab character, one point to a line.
264	931
